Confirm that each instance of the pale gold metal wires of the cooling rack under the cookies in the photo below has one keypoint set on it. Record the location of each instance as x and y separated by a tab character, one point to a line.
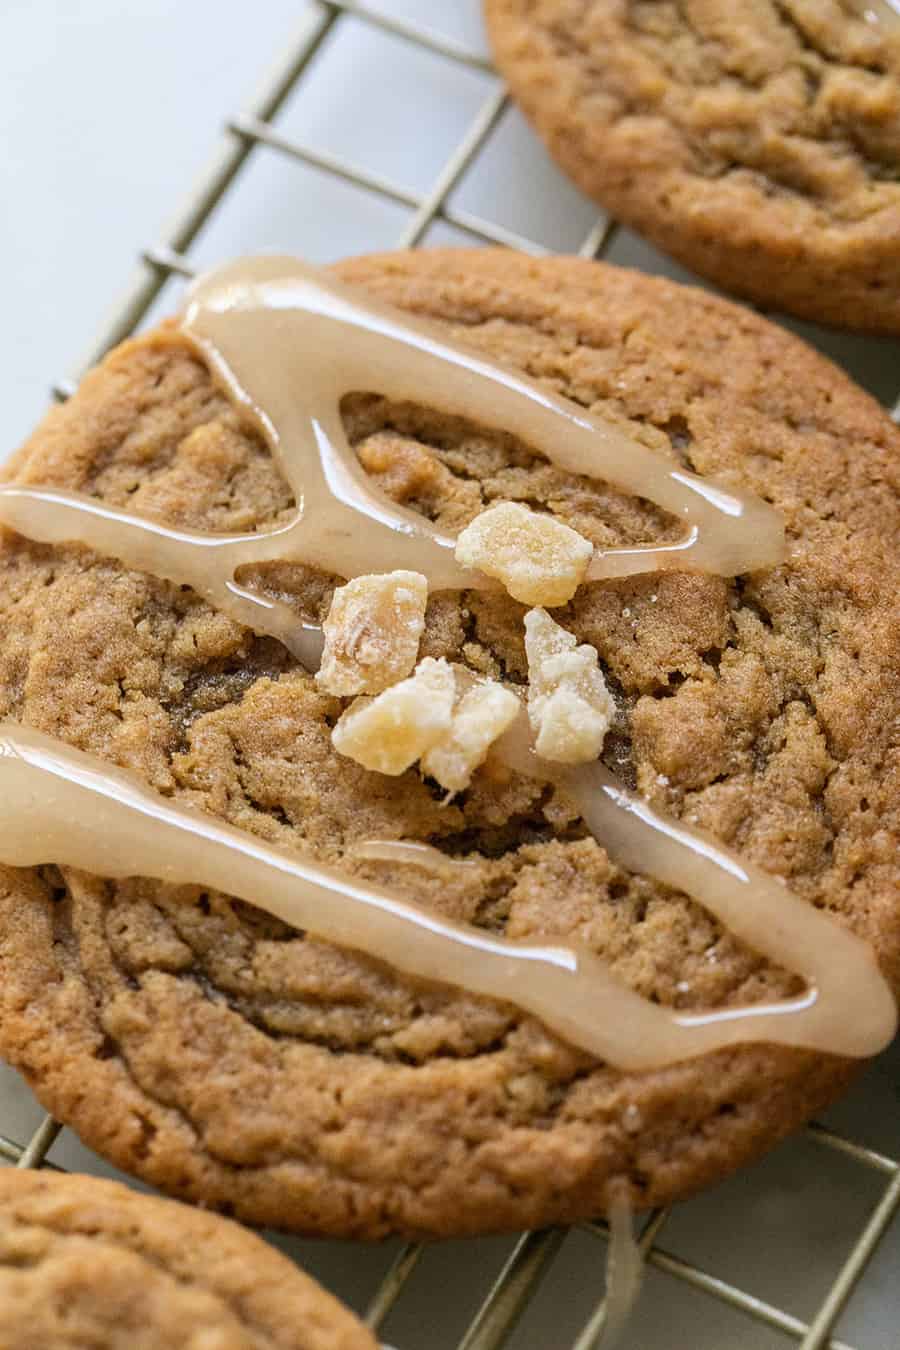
534	1255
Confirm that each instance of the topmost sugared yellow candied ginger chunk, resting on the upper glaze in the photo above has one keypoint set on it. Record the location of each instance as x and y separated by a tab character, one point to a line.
539	560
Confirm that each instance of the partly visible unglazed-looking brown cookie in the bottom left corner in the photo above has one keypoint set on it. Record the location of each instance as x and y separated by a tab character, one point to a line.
88	1263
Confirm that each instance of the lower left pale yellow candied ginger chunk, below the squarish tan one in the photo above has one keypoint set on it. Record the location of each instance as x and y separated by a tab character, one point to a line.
392	731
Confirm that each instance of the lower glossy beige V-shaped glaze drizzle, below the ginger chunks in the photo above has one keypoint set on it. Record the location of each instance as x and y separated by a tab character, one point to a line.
59	805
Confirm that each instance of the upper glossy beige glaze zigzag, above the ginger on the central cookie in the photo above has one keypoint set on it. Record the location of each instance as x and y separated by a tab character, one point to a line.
287	342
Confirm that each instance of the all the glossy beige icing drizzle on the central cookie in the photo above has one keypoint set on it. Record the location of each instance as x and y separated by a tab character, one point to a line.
287	344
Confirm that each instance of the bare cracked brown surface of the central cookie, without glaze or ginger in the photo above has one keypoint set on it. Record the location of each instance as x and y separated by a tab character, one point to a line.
233	1060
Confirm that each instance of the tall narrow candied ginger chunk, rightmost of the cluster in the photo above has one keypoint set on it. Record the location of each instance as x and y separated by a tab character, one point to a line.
569	704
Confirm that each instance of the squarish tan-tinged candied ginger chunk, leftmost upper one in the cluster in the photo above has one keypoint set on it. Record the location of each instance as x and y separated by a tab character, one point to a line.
372	634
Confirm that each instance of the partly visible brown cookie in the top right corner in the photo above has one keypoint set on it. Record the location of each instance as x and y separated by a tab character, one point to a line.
755	142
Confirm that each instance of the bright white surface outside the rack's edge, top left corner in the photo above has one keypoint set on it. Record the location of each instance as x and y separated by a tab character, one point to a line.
107	109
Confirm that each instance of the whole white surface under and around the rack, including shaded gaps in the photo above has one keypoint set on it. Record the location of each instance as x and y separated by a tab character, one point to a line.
107	110
